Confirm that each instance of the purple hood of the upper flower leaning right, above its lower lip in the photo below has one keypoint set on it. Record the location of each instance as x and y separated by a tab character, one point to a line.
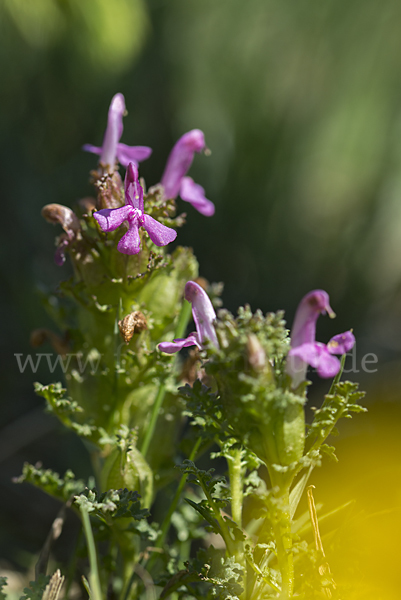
180	160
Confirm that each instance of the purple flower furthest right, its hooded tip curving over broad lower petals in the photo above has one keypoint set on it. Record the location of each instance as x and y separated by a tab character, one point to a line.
304	348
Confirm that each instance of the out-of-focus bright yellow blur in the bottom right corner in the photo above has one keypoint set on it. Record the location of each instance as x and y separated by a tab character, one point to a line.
362	541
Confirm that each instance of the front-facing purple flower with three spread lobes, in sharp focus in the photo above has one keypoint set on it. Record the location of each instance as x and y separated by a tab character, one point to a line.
111	218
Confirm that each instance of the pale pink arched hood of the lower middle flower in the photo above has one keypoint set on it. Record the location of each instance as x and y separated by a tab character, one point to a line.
202	312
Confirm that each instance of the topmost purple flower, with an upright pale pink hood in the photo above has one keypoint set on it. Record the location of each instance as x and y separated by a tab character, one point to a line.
111	148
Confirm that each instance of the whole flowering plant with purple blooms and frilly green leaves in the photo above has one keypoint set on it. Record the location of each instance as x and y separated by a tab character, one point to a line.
155	523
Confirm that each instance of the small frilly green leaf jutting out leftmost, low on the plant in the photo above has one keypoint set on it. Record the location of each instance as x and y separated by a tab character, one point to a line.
62	488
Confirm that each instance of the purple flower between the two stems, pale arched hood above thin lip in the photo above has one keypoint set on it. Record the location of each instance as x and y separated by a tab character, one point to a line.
203	314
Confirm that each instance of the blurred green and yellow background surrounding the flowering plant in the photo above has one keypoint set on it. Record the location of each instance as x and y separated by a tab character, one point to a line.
300	102
